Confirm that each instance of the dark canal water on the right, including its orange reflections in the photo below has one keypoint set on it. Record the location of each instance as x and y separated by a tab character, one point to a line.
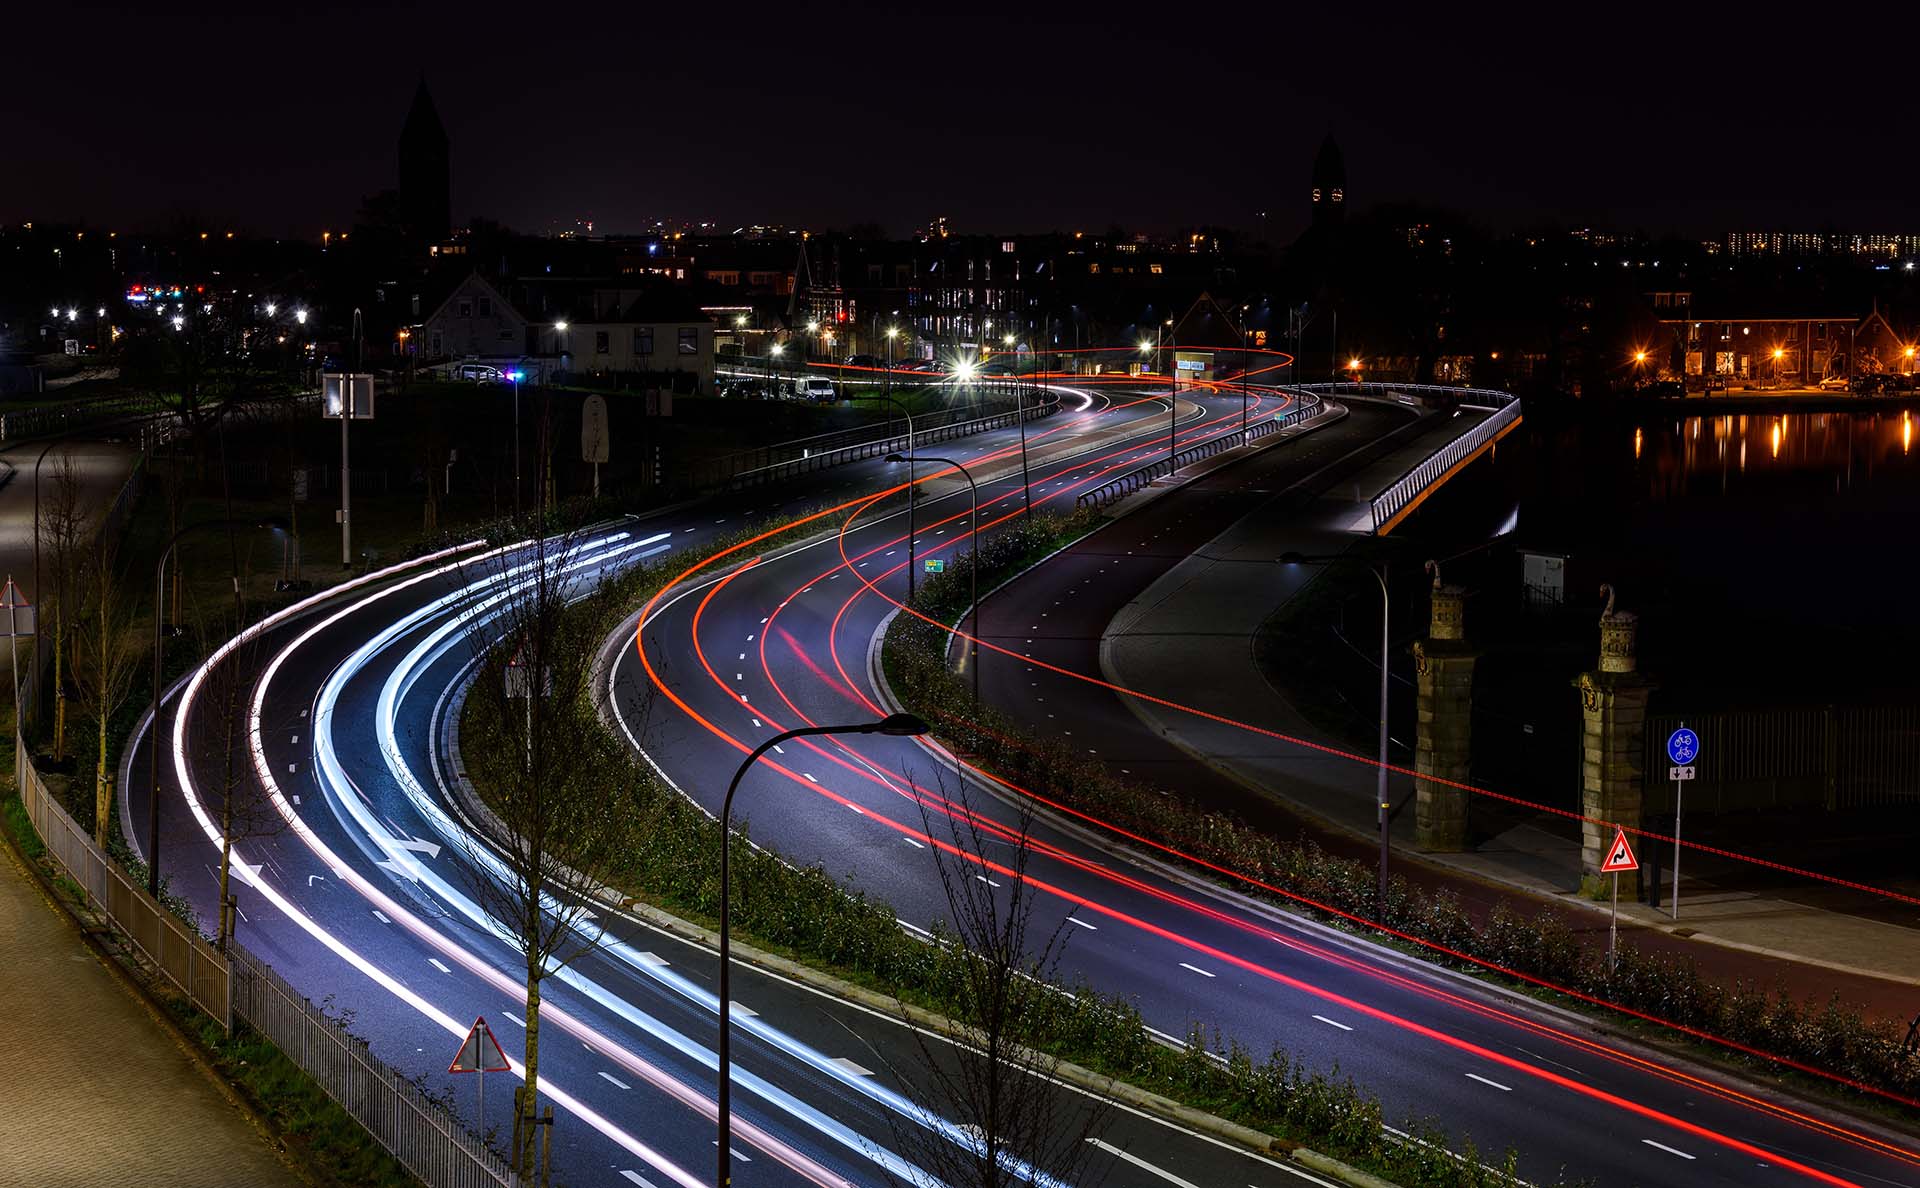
1769	556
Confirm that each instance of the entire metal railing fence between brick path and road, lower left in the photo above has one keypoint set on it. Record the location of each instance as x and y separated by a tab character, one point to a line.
410	1124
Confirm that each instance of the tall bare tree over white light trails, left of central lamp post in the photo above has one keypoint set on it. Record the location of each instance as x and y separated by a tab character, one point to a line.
560	794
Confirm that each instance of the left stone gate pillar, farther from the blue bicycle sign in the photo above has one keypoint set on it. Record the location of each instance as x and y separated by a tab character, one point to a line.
1443	665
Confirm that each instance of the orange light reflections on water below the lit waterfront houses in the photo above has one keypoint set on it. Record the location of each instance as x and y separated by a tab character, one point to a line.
1833	452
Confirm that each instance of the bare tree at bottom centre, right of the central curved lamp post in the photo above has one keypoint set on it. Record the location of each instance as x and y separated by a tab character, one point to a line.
997	982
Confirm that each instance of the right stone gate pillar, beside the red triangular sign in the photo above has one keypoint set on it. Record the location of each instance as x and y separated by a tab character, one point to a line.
1614	725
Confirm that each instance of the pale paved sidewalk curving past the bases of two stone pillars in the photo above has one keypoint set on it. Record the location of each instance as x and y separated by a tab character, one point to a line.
1189	638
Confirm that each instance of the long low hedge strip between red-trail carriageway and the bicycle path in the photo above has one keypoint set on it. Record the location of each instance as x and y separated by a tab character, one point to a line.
1827	1043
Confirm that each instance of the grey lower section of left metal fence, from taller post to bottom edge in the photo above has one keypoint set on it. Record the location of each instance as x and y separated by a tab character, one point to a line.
410	1124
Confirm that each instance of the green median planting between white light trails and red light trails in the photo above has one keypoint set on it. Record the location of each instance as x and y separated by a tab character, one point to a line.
811	916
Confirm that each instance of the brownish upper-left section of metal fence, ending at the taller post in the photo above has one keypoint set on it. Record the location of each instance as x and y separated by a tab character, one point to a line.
193	966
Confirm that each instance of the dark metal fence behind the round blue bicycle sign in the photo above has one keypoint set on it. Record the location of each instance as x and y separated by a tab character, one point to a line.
1831	757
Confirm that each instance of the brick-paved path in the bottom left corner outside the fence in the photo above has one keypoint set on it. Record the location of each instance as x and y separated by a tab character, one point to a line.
97	1087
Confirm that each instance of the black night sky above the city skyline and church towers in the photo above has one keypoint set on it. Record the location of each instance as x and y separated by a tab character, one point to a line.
279	118
